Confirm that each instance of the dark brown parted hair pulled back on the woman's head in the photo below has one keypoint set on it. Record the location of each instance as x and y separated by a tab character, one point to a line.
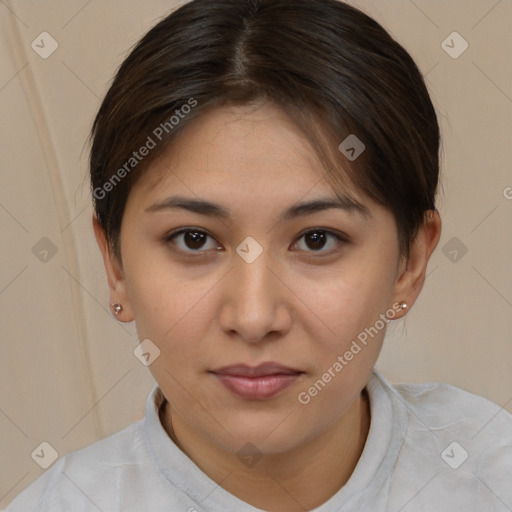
332	69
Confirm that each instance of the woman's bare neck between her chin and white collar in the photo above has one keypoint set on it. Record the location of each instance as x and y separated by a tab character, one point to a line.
301	479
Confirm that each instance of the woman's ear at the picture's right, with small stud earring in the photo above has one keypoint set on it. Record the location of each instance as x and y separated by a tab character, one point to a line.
412	270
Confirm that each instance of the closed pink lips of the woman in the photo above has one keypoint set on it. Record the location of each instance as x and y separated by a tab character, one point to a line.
259	382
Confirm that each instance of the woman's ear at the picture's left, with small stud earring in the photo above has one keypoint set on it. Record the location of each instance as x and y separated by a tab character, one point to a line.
115	274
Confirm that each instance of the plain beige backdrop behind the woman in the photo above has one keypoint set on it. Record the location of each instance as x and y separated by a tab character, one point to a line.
67	373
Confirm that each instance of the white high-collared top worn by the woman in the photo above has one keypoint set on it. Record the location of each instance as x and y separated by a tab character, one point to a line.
430	448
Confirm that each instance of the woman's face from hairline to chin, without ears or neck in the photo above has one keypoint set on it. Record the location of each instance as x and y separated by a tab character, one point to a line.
265	282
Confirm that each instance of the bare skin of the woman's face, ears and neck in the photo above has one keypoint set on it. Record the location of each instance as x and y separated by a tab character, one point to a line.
291	305
